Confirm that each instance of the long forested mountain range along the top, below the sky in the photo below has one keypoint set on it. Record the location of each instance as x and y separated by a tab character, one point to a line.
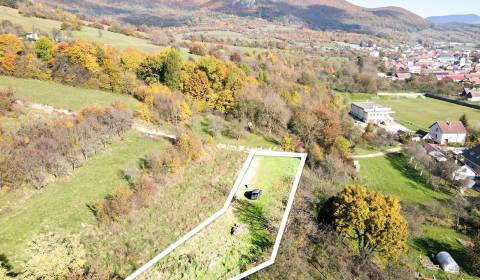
316	14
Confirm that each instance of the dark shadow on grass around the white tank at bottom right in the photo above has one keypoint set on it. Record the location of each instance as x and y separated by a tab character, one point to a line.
431	246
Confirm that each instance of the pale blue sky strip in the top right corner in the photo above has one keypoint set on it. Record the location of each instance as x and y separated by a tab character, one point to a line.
427	8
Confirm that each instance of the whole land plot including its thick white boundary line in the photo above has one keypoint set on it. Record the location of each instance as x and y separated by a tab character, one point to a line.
244	236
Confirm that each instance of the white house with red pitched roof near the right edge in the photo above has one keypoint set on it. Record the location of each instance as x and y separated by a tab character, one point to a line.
444	132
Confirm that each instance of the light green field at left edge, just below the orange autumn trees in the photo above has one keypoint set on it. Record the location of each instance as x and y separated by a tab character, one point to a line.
62	96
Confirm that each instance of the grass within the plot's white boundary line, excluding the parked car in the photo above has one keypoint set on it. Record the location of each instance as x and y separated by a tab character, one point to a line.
216	253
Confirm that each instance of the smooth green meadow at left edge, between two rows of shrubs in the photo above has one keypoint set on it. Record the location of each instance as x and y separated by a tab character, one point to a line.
64	203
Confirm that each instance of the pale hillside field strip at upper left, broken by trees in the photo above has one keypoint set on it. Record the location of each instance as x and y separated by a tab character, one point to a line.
91	34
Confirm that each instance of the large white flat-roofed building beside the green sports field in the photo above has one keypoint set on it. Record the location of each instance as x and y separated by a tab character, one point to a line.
370	112
